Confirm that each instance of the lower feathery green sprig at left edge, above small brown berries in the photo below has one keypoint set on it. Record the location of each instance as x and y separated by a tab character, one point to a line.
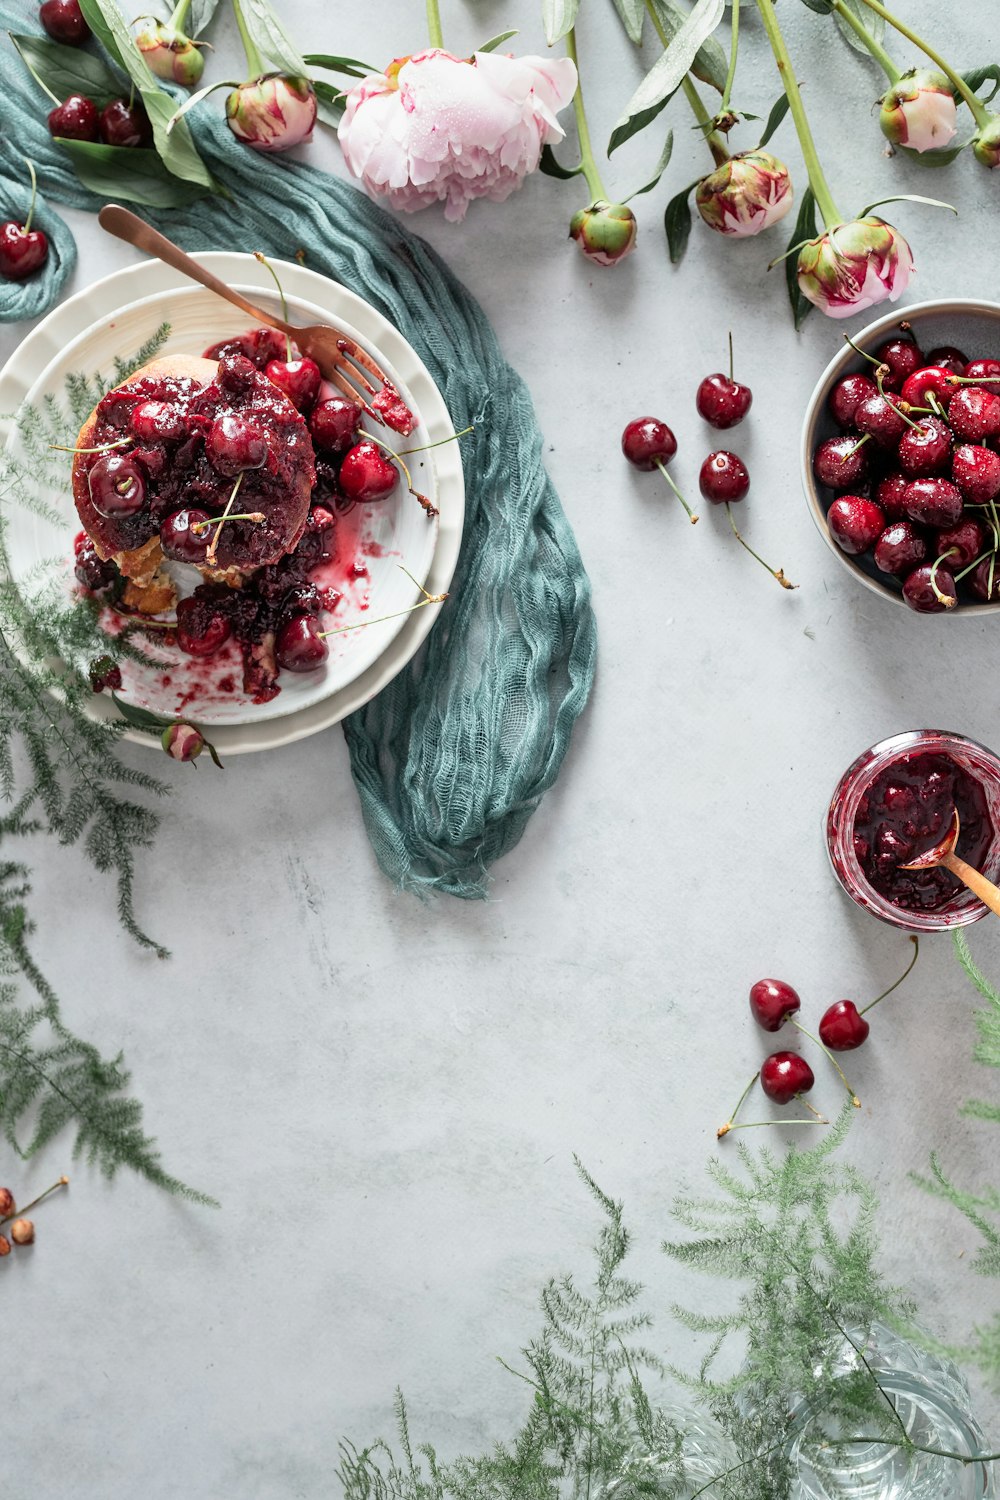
49	1078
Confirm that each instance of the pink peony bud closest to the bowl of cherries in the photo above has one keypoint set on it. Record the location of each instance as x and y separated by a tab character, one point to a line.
854	268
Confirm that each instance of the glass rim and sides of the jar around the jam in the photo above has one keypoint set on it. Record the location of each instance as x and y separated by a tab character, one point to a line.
849	800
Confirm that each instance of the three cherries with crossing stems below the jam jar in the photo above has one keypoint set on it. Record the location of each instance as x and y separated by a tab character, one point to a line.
786	1076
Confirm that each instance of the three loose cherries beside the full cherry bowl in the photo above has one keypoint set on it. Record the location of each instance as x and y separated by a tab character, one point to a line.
723	479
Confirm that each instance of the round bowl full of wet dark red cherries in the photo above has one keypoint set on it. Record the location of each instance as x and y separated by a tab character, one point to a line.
902	457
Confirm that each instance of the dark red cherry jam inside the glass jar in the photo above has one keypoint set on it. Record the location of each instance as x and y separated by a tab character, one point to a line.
905	814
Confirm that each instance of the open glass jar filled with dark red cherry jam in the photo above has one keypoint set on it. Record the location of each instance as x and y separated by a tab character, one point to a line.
894	805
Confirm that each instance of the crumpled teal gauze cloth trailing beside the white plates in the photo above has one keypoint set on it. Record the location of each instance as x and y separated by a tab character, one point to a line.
455	755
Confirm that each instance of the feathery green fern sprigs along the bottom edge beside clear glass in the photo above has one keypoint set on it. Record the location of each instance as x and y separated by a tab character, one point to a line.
795	1237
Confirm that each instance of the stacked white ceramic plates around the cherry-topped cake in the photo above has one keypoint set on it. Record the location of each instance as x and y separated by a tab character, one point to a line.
113	317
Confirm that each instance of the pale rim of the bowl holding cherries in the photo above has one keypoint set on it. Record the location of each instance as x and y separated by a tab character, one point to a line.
816	406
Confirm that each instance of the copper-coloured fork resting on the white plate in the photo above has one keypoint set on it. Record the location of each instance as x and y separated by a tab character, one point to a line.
341	361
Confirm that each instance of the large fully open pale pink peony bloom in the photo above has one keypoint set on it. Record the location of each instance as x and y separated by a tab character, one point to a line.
437	128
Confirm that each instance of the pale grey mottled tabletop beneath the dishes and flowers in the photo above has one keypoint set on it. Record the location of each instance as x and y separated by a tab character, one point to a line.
386	1096
